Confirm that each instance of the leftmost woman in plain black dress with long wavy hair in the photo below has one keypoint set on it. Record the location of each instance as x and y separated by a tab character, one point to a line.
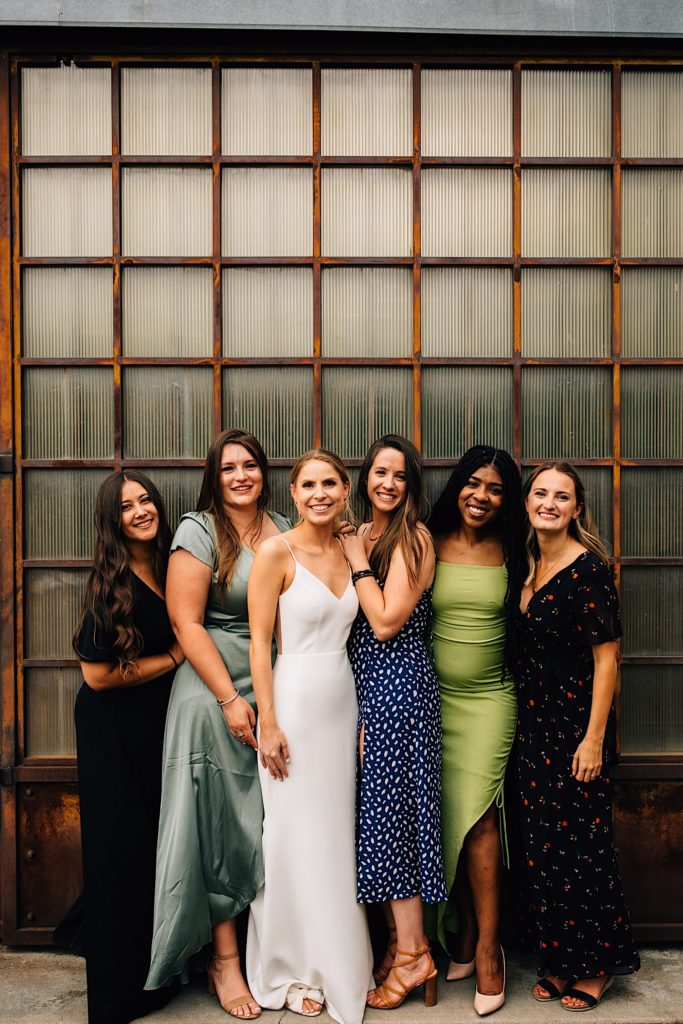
129	656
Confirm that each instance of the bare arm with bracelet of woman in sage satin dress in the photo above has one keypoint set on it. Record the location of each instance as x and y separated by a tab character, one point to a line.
188	587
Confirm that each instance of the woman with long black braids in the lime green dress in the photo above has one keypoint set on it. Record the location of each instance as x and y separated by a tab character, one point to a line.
478	526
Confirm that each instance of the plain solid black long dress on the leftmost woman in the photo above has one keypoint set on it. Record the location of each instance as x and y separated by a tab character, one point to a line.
120	735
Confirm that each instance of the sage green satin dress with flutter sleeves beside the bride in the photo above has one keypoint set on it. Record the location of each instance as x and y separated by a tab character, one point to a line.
209	864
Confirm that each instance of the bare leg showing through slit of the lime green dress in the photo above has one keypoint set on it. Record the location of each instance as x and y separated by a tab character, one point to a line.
483	851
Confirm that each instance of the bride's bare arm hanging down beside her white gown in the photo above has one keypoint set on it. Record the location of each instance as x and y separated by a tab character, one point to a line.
267	582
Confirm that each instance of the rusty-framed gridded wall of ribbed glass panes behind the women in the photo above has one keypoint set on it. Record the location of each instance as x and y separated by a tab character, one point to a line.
324	253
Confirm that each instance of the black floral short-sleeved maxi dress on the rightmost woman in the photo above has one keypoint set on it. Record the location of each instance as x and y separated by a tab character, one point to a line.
574	904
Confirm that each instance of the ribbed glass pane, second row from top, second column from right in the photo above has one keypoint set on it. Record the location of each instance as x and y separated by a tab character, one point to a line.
566	212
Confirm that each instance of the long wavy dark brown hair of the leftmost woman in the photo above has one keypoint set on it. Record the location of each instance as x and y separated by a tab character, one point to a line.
109	592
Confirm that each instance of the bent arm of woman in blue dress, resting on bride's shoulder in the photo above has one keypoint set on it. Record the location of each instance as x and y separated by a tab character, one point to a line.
388	611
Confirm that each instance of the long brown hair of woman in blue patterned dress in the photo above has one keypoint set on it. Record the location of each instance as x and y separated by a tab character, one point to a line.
404	526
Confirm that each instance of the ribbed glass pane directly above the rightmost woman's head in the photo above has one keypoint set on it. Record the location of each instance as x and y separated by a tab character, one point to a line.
567	413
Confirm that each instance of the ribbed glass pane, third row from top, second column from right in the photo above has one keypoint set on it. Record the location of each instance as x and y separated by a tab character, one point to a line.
567	313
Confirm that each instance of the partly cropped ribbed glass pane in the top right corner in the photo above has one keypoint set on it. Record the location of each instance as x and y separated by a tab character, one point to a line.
652	104
